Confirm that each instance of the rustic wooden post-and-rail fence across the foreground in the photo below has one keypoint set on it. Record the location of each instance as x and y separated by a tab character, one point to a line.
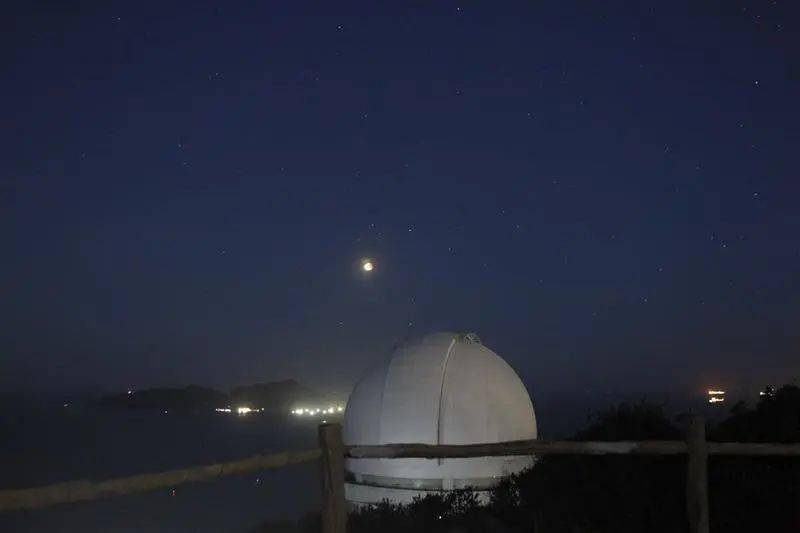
332	452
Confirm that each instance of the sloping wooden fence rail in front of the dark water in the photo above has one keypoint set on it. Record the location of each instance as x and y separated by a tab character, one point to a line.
77	491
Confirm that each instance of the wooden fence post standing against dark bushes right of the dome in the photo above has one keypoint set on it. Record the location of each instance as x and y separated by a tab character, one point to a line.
697	475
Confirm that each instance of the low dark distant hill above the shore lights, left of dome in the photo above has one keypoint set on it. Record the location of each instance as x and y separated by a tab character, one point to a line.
272	396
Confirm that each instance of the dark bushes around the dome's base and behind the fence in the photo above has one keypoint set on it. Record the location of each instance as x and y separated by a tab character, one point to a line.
620	494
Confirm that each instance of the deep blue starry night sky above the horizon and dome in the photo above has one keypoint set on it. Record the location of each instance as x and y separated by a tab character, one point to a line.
607	193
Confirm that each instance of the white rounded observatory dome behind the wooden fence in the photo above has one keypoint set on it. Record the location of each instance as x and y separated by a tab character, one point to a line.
445	389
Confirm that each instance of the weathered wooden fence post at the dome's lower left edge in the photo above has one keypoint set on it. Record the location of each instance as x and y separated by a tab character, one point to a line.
331	462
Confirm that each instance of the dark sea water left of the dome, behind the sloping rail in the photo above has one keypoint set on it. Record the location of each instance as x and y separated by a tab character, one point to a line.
43	446
